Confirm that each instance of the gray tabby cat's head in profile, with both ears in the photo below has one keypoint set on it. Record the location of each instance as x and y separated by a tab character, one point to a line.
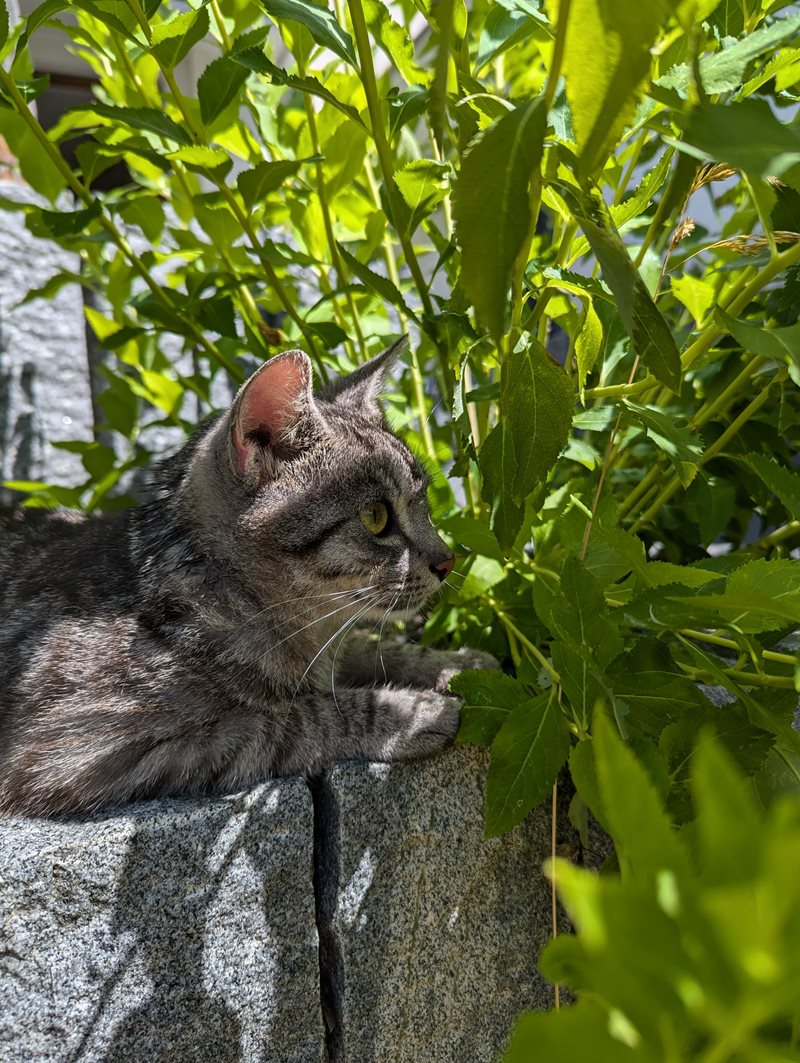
317	493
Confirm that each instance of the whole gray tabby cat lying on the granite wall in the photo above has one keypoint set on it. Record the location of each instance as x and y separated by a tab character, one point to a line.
190	647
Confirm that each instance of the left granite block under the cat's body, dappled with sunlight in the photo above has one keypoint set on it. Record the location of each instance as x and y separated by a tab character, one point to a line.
169	932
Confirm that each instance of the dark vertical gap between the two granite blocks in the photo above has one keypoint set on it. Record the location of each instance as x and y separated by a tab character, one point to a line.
326	875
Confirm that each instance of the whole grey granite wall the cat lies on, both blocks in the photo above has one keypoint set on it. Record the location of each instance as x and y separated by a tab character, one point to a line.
363	919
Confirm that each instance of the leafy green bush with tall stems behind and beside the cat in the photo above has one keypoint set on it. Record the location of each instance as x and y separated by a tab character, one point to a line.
588	217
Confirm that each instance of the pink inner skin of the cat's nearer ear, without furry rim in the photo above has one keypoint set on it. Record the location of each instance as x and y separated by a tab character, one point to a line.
271	403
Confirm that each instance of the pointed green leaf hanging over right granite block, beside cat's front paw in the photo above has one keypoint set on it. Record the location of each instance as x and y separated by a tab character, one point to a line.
527	755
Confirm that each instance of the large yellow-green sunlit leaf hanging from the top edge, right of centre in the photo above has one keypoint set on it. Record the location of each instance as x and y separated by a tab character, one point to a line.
607	57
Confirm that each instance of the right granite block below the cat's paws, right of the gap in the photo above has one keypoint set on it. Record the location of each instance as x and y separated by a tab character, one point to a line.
434	934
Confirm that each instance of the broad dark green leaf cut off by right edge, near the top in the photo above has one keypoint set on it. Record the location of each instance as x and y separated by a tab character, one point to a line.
746	136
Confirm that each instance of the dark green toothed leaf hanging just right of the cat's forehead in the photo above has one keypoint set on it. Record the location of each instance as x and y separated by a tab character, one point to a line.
537	403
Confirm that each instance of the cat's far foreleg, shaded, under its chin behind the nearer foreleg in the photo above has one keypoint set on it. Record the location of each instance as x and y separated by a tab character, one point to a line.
367	664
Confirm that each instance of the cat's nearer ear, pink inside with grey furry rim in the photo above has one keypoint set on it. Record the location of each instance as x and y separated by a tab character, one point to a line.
274	417
